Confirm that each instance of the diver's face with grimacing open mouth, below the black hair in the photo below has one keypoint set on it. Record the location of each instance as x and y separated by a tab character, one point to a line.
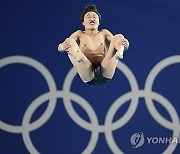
91	21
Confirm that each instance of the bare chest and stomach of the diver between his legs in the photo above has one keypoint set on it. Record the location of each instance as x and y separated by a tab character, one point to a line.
93	47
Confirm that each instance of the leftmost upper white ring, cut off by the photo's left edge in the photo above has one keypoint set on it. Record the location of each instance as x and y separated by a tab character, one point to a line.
49	79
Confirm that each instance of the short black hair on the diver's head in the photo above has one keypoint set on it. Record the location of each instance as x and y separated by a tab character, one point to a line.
90	8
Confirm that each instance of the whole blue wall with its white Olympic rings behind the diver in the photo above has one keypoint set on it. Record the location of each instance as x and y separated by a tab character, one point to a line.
46	108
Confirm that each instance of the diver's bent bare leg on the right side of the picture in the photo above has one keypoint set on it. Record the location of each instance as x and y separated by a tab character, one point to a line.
115	52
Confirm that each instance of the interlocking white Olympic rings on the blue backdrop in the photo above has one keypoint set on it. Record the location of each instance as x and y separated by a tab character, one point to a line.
93	126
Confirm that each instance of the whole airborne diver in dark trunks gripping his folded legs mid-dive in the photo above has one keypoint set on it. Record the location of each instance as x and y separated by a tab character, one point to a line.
94	53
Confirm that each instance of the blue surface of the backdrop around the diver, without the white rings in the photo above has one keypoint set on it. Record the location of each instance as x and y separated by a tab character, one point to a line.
35	28
